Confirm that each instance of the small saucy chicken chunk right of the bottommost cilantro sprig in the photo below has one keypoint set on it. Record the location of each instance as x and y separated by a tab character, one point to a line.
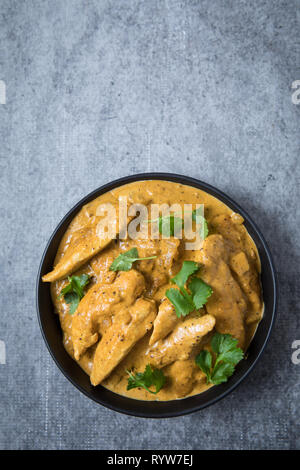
182	377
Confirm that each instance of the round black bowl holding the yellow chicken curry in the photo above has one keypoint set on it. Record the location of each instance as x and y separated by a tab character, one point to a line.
52	333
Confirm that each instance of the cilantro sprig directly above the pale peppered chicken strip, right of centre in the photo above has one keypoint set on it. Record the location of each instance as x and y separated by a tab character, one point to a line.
184	301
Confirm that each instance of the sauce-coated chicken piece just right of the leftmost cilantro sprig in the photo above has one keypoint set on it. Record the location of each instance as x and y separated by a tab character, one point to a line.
94	312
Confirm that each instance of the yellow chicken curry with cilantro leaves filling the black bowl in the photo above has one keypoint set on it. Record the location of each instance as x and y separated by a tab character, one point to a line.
149	314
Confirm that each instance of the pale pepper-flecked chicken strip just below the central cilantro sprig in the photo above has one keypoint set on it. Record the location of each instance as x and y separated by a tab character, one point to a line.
180	344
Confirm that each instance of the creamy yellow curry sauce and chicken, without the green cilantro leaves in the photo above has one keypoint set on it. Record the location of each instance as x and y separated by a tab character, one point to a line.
229	264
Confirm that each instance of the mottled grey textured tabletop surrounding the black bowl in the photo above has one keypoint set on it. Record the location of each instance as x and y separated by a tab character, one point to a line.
102	89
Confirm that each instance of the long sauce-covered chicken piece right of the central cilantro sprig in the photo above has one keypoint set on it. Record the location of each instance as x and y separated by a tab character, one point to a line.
227	303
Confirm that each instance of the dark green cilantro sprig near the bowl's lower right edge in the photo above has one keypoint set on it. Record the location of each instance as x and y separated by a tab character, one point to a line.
227	357
